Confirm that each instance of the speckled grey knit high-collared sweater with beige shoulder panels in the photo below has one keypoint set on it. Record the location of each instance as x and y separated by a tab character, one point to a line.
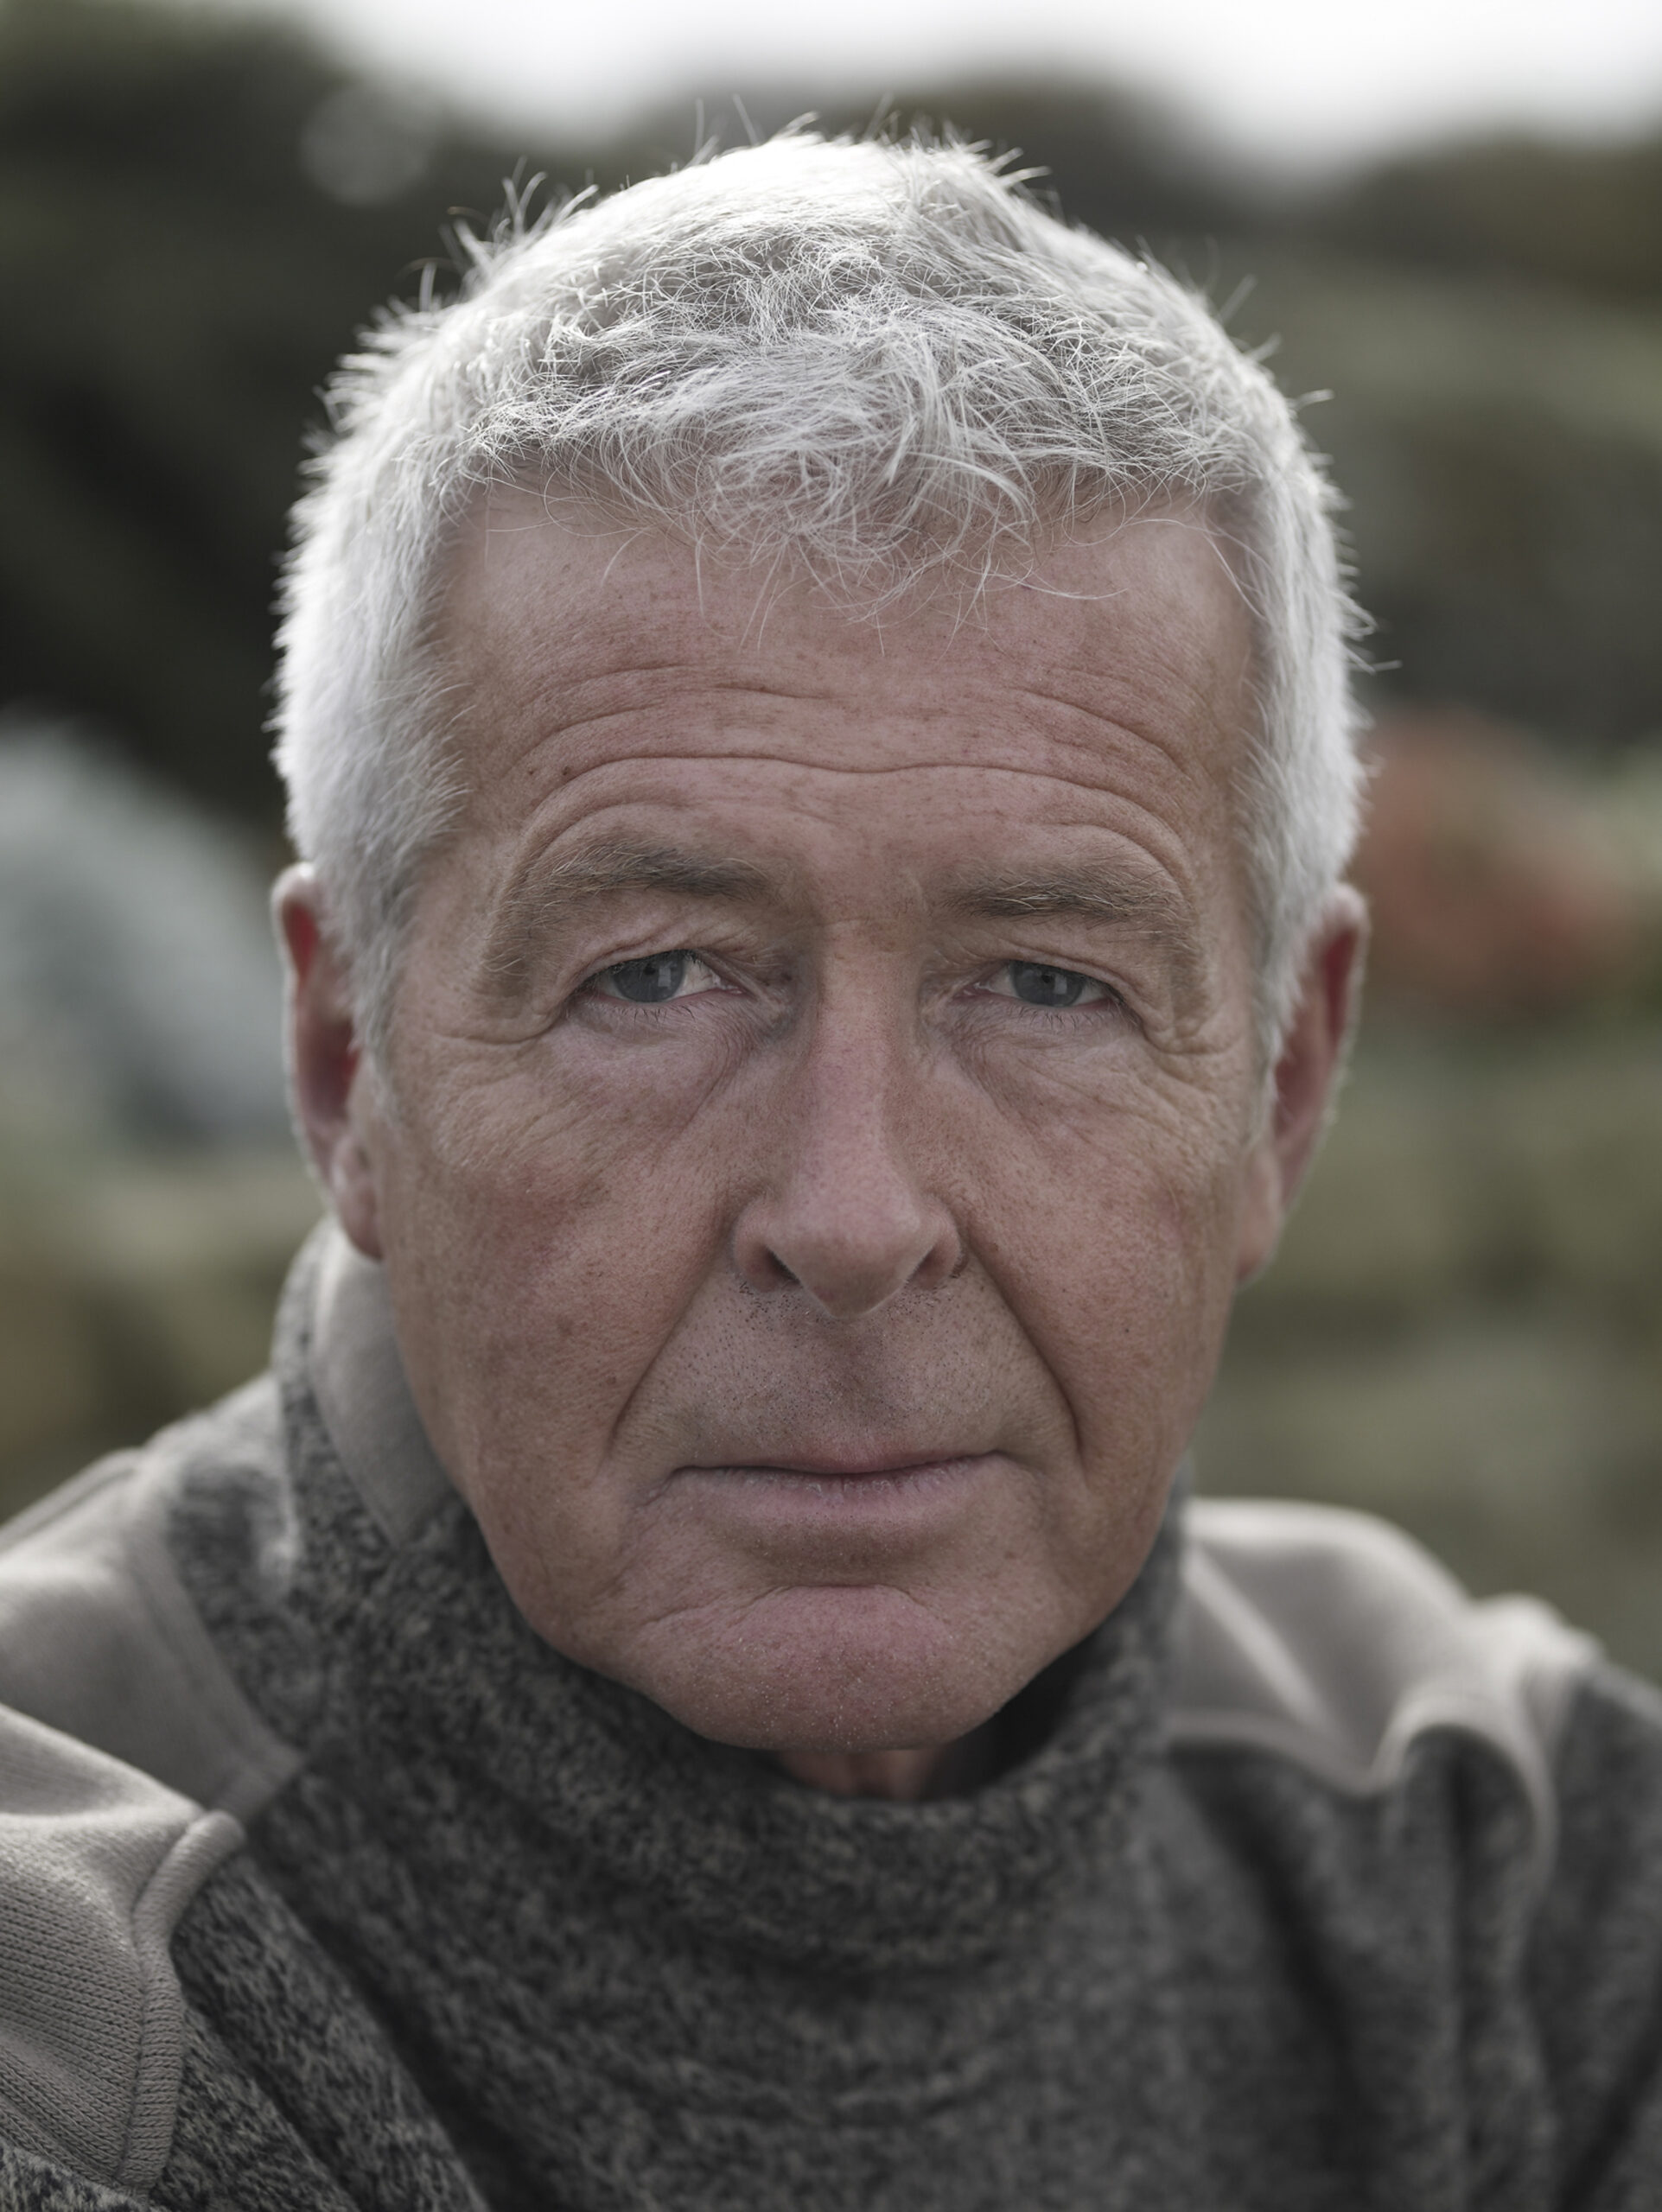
326	1886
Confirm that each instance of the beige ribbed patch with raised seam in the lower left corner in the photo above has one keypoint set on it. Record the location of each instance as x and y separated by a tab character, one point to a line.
96	1868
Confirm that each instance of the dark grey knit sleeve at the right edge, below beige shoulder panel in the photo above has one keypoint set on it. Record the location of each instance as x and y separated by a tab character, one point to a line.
1597	1965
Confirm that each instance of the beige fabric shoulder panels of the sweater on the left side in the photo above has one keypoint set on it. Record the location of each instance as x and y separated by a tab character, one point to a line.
129	1760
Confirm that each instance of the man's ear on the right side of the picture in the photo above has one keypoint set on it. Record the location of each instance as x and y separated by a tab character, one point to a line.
1305	1076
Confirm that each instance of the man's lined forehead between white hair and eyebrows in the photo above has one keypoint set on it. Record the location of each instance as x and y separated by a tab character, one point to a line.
588	658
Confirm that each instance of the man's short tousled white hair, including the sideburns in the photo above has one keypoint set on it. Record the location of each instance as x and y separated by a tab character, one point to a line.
880	366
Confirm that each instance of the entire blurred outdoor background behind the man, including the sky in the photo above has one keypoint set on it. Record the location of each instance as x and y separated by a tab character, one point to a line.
1448	227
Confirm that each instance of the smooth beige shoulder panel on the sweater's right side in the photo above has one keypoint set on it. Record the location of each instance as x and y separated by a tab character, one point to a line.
1331	1640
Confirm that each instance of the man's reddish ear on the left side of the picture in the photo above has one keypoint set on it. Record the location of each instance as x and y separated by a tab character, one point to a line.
326	1061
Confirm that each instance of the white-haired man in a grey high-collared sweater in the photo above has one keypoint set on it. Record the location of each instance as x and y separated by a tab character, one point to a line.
816	713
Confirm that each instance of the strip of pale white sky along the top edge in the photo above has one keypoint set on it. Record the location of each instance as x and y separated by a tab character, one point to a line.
1296	81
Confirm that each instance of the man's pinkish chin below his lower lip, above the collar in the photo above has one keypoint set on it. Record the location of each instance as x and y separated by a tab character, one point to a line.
842	1669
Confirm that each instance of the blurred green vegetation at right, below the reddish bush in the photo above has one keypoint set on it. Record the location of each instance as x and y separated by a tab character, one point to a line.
1464	1326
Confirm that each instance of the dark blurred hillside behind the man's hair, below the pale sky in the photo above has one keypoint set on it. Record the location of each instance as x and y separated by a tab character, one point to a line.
180	273
